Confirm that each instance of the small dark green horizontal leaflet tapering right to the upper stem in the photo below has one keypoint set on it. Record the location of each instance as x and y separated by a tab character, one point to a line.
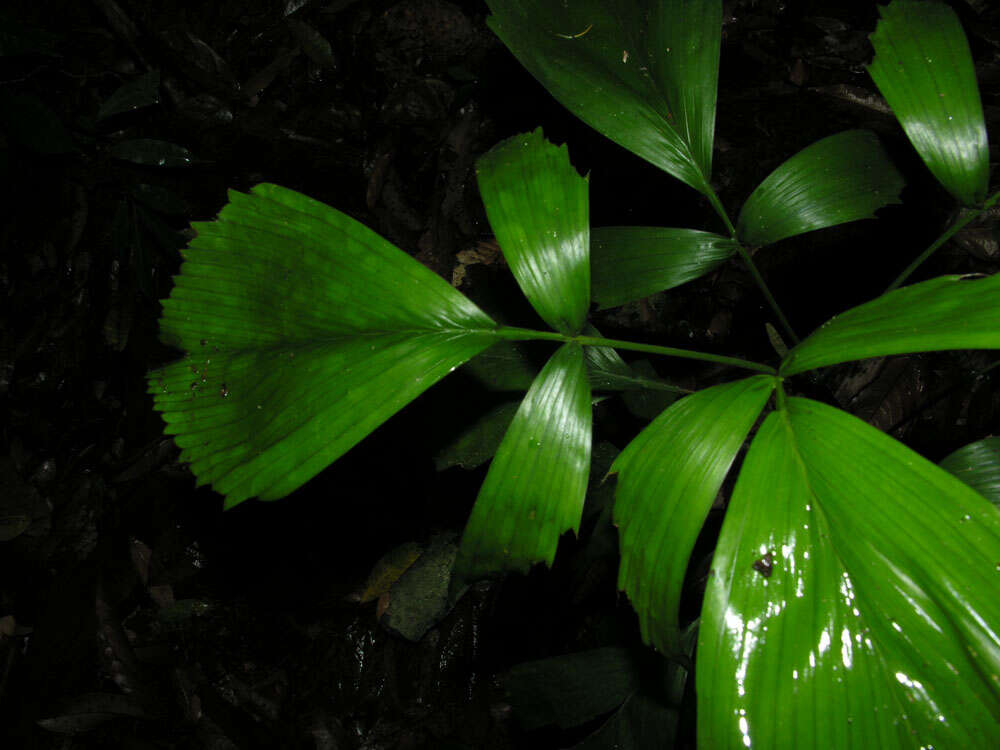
629	263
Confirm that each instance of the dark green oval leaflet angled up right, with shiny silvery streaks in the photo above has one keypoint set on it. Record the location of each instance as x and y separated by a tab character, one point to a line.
841	178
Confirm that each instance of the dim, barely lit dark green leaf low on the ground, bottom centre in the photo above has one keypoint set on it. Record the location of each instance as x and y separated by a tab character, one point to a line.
572	689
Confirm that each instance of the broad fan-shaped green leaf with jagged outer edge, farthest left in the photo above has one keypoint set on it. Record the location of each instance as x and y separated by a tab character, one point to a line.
304	331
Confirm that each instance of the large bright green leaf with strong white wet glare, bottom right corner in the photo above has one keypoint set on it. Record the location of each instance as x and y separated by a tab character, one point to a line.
852	599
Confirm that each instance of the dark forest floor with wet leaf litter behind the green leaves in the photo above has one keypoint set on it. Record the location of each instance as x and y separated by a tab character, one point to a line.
119	578
